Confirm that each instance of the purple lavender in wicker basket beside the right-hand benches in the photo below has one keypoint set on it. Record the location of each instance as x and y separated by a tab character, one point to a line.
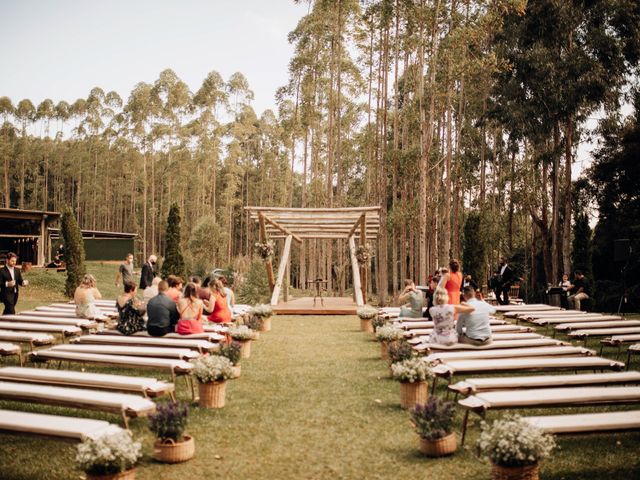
433	422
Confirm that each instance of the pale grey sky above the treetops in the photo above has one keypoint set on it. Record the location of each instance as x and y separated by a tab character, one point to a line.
62	49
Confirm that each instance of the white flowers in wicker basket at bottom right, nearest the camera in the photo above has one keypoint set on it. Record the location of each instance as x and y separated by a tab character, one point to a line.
515	448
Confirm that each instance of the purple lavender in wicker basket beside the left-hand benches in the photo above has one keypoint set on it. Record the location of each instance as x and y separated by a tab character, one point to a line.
168	424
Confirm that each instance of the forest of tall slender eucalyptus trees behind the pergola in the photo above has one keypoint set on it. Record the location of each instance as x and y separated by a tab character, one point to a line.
460	118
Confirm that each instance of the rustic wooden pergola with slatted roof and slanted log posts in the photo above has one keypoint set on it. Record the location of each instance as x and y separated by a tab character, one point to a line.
317	223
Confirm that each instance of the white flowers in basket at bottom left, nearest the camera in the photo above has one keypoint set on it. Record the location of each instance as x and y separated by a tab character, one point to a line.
112	456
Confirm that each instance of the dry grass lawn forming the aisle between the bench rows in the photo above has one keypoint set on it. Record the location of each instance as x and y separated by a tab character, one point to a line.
314	401
